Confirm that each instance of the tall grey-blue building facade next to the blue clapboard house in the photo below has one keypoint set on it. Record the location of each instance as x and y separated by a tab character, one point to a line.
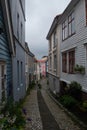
17	8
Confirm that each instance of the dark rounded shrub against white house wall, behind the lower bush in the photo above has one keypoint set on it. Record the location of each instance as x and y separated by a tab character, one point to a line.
75	90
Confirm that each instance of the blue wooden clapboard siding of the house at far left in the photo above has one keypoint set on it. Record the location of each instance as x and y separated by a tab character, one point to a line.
5	53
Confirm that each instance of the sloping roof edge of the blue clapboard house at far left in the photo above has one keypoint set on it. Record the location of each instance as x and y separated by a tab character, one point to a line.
8	24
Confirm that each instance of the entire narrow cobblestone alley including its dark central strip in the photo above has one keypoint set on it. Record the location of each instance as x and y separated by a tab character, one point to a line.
44	114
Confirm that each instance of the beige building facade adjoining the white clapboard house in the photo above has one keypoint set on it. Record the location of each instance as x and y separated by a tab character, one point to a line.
54	56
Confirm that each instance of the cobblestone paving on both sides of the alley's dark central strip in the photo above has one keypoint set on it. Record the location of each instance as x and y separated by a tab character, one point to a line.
34	121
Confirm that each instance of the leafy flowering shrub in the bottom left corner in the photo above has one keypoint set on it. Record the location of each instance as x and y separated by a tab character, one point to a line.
11	116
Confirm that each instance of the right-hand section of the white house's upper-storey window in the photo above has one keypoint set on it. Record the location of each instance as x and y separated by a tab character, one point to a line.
71	24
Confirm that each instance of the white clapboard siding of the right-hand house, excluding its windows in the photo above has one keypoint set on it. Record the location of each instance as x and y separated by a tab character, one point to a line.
77	41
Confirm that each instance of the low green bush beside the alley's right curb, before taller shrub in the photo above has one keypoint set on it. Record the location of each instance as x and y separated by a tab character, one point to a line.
68	101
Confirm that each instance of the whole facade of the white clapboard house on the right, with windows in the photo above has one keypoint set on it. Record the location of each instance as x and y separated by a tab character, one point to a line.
74	44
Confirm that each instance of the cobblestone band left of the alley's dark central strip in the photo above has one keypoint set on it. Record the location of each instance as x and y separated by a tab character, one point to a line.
32	110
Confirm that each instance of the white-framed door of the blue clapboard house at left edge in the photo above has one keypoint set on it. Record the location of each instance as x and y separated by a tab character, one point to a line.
2	81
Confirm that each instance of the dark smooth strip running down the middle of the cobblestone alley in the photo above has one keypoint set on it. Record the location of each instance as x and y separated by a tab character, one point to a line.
48	120
